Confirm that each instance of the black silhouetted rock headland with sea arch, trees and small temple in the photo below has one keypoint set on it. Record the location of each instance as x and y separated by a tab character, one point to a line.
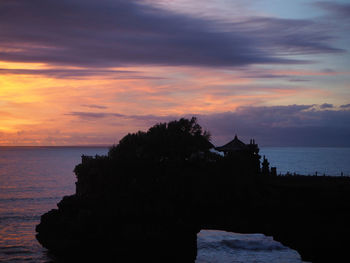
148	199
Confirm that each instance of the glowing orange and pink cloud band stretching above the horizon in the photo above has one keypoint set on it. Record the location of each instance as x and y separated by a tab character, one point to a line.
35	108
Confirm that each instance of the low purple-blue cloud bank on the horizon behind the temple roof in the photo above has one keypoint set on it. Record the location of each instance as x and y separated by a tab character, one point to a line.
295	125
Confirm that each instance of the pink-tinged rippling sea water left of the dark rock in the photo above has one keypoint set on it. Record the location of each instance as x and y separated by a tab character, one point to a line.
32	181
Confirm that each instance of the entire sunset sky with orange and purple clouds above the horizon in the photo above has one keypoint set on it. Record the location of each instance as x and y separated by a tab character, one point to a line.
87	72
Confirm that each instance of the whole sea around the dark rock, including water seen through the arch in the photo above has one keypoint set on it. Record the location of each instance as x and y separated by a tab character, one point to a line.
34	179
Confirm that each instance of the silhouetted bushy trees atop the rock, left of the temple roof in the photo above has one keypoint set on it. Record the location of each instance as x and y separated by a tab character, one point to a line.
176	140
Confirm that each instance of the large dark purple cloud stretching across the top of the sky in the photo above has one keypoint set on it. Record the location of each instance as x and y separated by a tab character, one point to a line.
126	32
